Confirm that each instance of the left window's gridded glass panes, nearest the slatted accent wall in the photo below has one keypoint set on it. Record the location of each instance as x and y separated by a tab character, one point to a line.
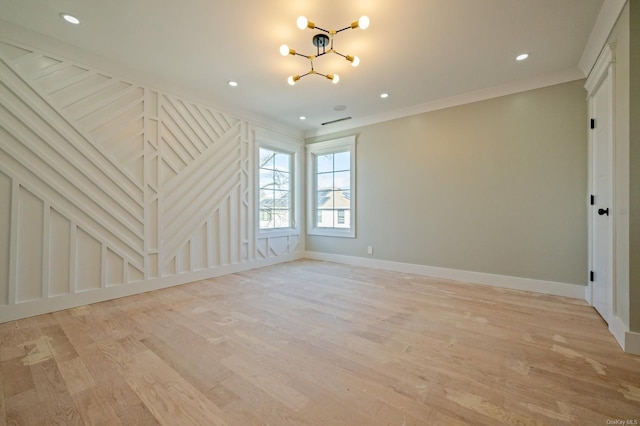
276	207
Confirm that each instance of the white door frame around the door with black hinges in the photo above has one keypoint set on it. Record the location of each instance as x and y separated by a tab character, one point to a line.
603	68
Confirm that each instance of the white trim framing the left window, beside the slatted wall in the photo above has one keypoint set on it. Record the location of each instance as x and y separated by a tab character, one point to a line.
287	145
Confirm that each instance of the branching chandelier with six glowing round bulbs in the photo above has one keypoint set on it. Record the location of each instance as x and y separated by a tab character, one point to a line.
324	45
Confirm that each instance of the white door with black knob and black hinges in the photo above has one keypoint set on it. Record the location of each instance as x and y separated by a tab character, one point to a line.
601	214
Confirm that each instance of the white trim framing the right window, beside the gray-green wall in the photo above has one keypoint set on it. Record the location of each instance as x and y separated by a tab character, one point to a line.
319	148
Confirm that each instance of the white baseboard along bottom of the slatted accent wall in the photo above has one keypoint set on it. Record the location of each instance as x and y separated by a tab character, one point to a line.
67	301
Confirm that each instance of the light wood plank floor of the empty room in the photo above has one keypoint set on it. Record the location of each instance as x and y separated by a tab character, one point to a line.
314	343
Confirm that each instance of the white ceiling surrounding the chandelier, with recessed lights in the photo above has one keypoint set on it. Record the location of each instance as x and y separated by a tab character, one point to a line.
419	51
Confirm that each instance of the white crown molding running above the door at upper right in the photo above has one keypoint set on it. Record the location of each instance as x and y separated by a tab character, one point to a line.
605	22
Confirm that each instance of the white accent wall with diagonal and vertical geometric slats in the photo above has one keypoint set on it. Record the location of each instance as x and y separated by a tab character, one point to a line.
105	183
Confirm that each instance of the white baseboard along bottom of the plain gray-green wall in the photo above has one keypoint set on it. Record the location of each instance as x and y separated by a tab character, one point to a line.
526	284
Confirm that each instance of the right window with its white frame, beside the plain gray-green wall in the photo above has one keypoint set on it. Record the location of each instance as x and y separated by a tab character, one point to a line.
332	187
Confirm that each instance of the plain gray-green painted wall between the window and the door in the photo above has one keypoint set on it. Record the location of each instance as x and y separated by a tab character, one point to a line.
497	186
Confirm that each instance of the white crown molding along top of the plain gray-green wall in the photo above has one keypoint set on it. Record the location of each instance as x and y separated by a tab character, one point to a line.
537	82
